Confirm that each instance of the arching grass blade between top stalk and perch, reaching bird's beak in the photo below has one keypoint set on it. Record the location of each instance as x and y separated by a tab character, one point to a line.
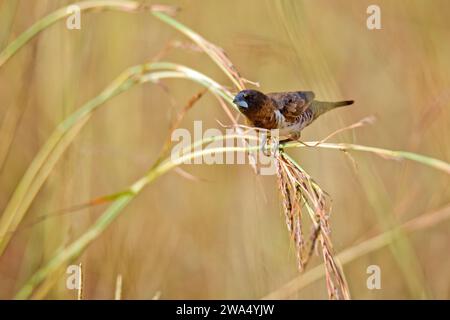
65	133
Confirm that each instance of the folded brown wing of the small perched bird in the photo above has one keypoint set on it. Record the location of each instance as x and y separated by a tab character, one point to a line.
292	104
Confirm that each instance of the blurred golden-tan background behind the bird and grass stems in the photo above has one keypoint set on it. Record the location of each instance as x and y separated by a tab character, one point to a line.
224	236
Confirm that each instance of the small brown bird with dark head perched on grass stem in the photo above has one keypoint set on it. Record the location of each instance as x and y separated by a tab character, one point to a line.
290	112
